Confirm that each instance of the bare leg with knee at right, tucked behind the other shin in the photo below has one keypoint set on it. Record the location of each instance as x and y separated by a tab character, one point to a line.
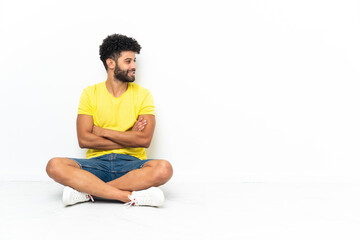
153	173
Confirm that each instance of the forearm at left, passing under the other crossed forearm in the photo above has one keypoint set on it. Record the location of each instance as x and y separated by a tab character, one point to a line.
92	141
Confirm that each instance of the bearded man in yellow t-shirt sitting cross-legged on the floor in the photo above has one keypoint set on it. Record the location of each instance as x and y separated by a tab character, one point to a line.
116	122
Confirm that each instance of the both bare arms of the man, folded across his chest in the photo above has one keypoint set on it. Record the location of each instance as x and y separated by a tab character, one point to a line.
93	137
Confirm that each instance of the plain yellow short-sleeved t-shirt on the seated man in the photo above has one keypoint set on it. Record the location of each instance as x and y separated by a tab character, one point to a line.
116	113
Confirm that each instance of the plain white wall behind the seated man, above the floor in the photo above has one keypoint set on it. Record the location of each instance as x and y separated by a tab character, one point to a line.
244	90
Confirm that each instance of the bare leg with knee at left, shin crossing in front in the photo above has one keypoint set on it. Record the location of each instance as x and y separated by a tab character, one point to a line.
67	172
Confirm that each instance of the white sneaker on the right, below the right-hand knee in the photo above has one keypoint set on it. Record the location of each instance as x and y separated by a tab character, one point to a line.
149	197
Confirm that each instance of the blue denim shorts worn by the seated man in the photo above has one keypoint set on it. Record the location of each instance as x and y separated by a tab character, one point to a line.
110	166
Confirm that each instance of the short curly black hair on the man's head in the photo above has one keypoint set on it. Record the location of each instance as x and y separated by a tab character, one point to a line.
114	44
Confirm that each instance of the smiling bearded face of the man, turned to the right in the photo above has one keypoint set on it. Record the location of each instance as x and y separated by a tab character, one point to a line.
125	67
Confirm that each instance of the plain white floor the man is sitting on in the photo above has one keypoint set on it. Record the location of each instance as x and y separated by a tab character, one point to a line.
33	210
